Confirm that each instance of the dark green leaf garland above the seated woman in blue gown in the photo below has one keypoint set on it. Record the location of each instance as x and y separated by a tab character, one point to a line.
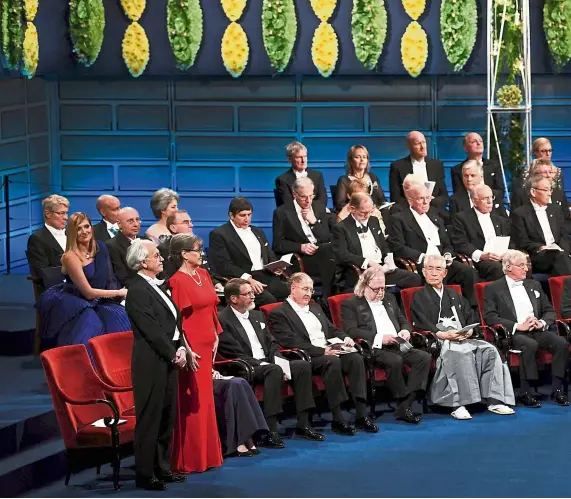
86	26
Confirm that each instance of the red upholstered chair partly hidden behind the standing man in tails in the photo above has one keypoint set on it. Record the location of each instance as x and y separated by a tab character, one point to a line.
112	358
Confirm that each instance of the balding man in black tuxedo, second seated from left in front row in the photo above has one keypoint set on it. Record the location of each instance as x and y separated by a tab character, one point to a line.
301	324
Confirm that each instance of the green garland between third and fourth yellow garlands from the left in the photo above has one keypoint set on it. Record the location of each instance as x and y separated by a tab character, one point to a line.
279	31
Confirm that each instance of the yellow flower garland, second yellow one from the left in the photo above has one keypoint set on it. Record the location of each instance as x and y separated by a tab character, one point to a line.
135	46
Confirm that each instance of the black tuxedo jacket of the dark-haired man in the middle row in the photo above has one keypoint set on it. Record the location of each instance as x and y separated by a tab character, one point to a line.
228	254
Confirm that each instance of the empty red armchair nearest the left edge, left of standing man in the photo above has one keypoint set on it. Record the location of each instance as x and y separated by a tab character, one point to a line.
79	398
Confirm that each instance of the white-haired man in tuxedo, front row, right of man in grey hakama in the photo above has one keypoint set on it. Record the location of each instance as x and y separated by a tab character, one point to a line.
521	306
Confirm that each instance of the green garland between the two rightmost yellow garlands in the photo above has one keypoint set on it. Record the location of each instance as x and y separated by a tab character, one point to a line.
369	30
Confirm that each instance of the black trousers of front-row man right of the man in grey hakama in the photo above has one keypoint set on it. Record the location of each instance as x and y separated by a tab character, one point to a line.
528	343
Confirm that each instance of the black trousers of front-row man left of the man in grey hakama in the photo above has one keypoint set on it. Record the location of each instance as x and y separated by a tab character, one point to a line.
391	359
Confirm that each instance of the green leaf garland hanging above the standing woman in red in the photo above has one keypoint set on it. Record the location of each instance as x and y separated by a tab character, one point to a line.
185	29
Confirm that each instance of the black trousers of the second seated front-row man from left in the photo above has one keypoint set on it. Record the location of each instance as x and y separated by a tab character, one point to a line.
333	370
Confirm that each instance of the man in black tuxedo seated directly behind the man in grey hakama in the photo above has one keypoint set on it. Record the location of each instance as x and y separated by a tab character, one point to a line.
419	231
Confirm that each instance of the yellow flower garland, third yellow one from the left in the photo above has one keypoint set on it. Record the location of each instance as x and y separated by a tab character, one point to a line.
234	47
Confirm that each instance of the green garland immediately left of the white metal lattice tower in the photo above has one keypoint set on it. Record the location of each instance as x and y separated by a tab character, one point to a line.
458	30
